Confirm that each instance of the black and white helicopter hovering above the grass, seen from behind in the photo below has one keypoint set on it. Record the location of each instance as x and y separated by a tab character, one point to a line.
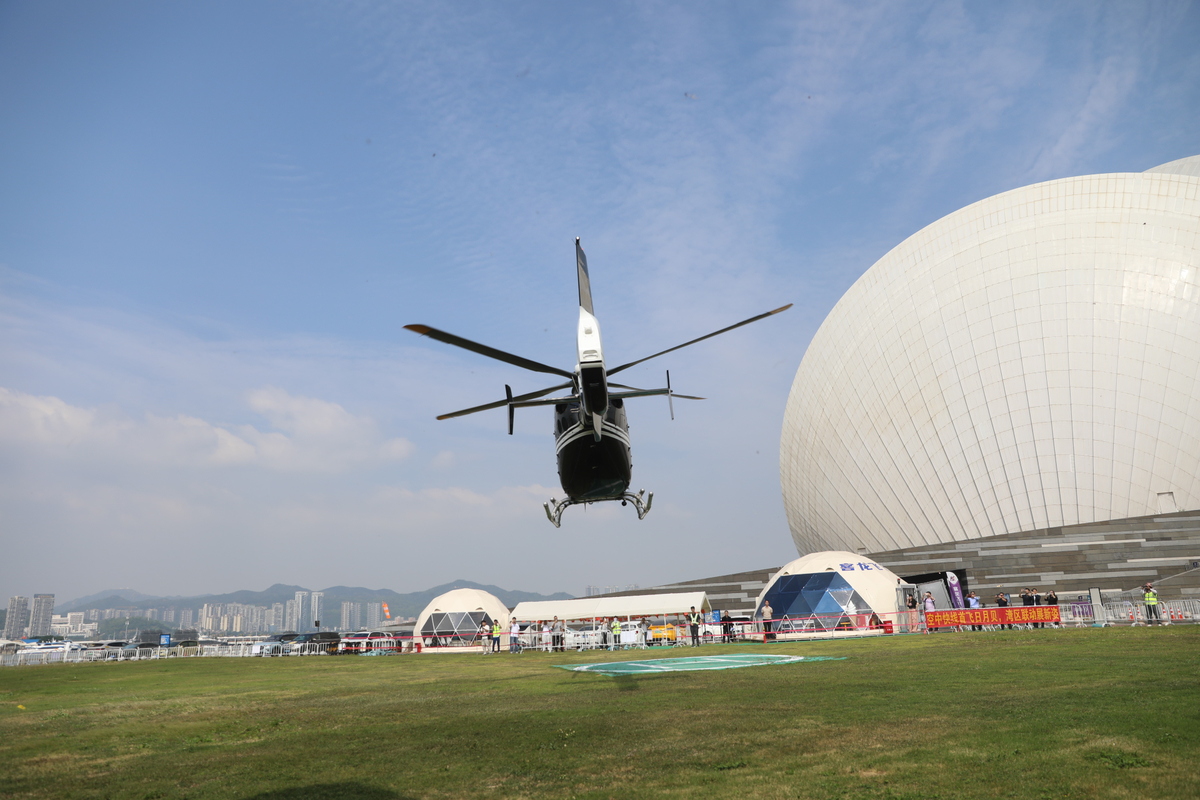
591	429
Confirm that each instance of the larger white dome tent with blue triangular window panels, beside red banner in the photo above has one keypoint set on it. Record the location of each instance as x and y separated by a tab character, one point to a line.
830	590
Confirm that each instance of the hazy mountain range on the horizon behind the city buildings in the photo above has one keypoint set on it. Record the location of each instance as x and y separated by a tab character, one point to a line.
400	605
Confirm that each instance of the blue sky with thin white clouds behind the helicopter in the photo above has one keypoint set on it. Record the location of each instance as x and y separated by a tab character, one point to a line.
215	220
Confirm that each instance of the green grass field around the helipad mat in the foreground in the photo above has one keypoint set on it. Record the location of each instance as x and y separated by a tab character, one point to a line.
1053	714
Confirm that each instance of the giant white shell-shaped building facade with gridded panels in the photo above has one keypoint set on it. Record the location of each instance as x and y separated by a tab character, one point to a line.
1029	362
